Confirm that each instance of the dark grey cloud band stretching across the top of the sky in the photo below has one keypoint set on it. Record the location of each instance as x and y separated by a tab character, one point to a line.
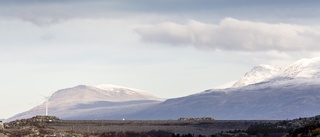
47	12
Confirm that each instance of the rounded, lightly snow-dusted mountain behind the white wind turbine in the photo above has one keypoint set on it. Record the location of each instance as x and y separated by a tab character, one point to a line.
93	102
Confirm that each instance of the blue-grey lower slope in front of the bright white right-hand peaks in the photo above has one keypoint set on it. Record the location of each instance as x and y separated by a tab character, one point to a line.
276	100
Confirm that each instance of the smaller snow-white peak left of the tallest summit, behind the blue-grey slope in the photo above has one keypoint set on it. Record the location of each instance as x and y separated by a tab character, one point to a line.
257	74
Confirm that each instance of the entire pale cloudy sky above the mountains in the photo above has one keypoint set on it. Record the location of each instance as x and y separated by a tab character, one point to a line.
170	48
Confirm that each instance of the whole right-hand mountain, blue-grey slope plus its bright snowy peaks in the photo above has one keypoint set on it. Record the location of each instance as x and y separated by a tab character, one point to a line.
264	92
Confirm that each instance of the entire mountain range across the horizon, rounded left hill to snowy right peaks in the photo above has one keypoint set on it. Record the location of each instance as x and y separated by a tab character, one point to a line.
264	92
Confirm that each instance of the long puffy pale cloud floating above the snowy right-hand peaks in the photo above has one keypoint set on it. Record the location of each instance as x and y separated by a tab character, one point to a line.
236	35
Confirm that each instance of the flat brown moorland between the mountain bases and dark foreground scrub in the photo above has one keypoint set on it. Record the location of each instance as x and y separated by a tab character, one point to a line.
175	126
